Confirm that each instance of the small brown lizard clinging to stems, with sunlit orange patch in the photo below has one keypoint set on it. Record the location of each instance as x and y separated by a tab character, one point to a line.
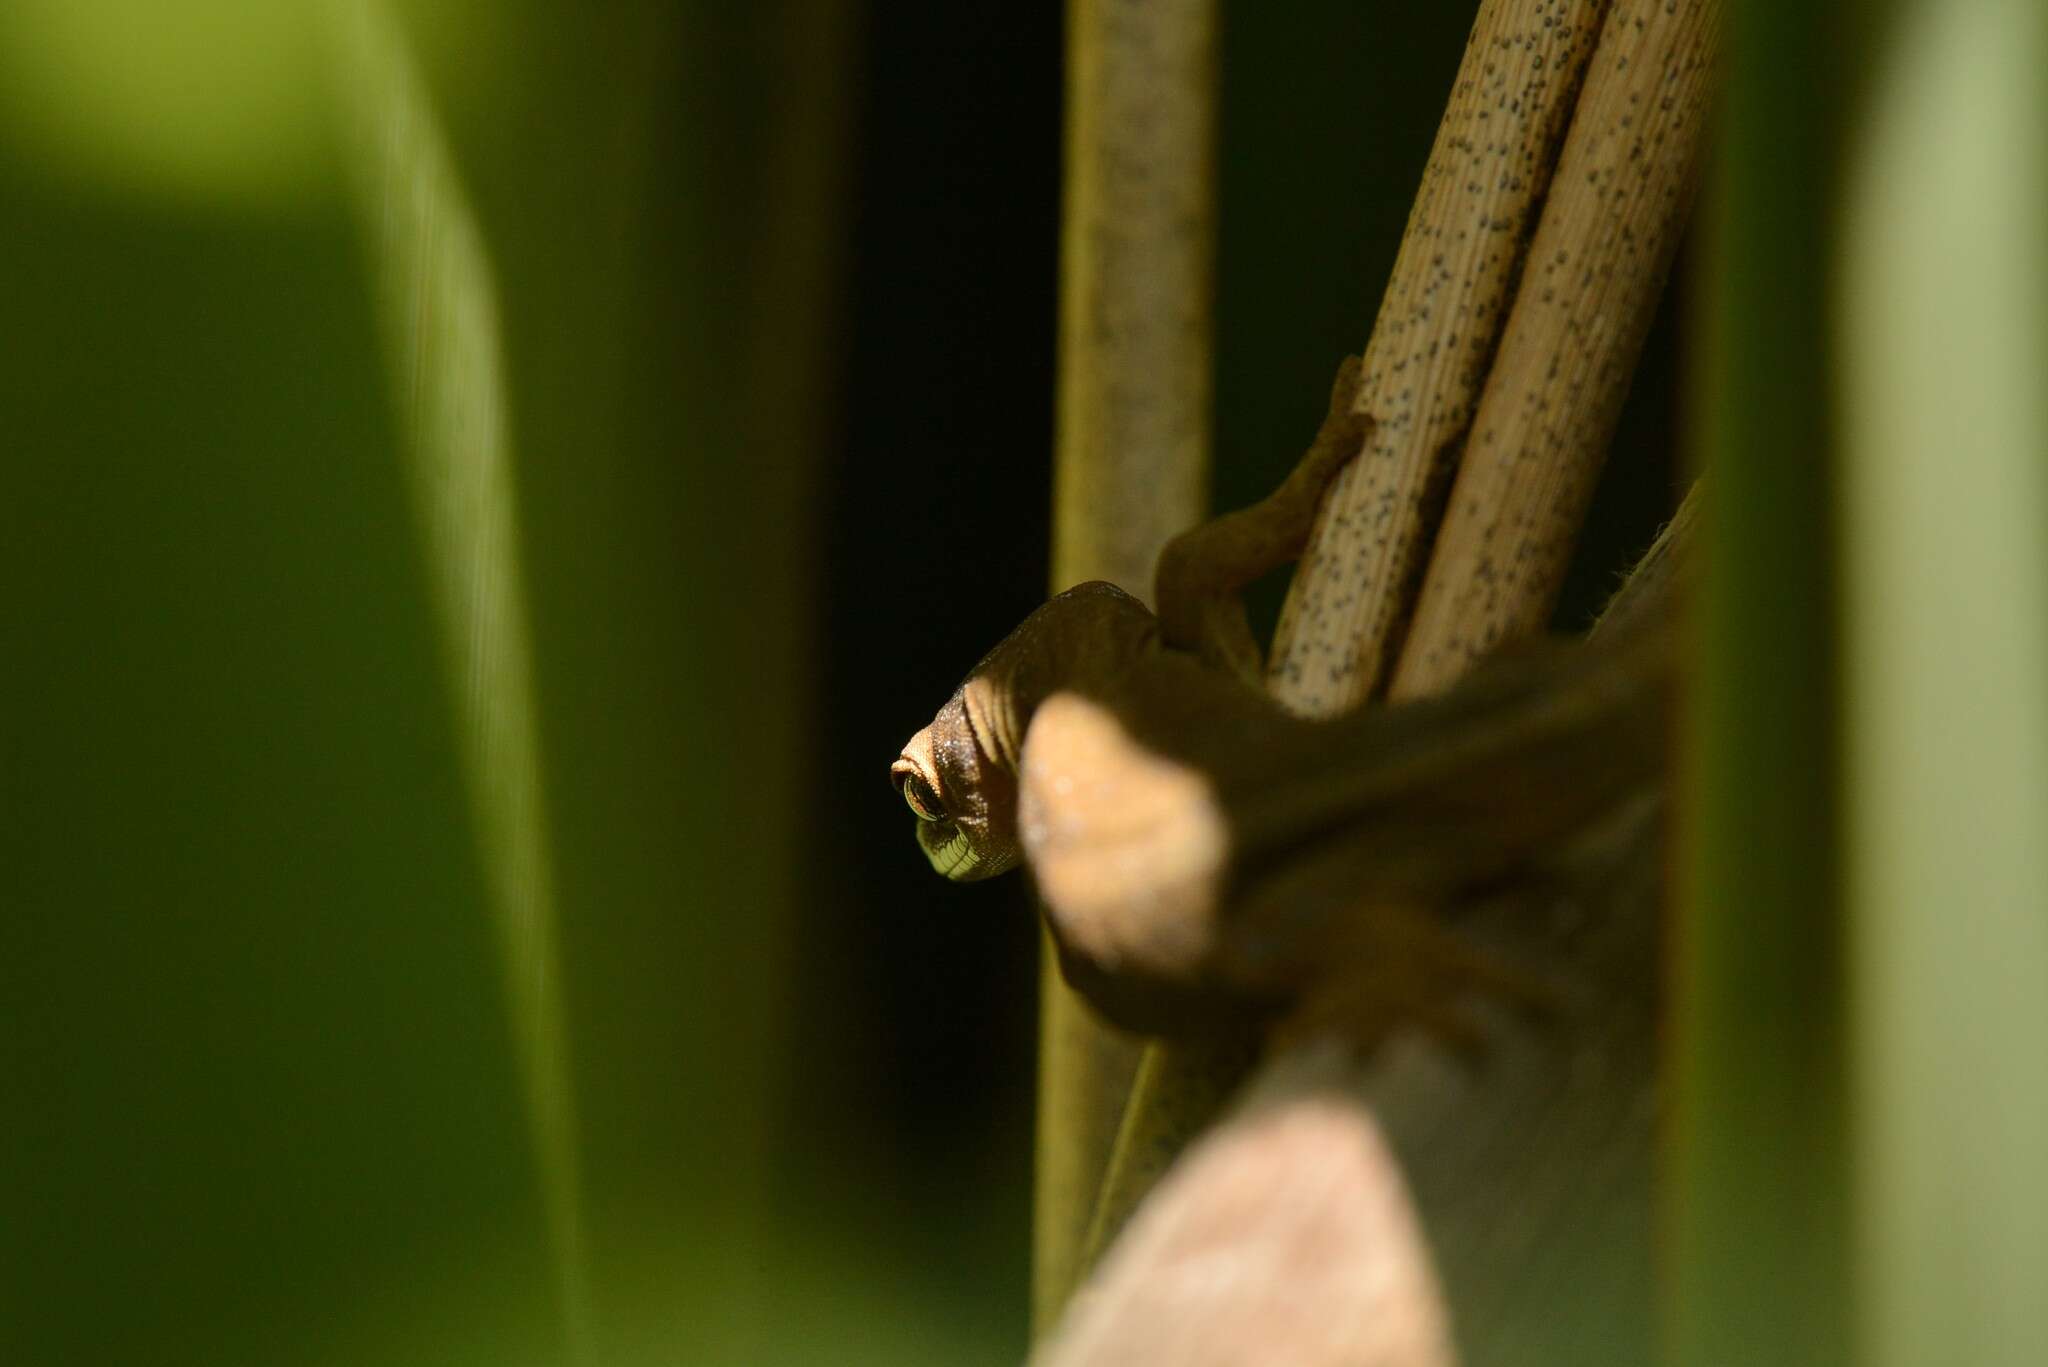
1207	858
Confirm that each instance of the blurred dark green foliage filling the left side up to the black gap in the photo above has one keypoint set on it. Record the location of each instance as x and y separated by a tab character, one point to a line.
271	1081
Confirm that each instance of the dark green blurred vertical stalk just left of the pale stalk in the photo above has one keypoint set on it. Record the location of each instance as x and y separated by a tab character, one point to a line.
1758	1159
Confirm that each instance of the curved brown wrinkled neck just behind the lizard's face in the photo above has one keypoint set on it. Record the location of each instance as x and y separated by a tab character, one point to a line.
1082	640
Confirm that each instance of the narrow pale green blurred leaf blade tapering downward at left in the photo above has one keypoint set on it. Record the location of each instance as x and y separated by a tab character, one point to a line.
439	308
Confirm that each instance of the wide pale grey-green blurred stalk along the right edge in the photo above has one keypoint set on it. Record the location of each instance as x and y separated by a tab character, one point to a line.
1945	505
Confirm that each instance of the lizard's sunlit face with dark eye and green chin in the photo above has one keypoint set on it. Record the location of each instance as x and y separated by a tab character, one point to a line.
964	796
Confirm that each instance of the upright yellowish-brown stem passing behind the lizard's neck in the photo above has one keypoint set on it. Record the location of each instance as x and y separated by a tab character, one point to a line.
1132	464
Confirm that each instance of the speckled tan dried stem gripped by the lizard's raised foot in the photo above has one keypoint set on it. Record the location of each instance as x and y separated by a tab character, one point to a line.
1433	345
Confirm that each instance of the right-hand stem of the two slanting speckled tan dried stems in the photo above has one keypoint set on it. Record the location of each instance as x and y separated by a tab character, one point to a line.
1596	267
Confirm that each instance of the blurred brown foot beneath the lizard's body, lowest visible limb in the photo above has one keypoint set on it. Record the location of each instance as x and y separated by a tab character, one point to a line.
1404	968
